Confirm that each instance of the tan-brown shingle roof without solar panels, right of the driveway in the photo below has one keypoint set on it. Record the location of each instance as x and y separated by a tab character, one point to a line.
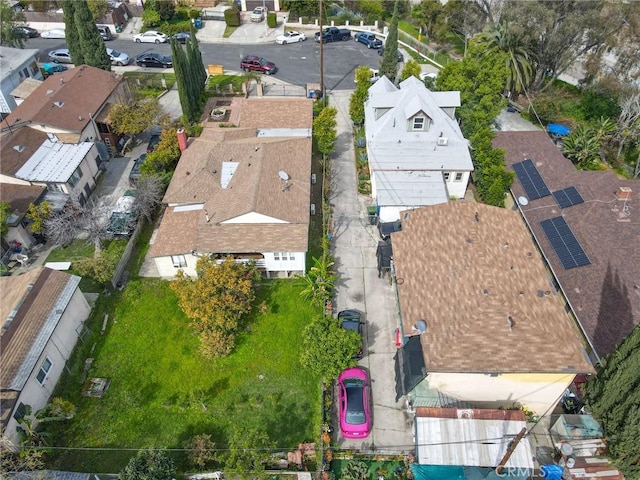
474	275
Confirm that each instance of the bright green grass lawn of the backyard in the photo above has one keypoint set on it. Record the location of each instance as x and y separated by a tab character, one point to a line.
163	391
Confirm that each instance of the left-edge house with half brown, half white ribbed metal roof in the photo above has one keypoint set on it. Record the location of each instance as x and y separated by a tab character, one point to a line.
32	157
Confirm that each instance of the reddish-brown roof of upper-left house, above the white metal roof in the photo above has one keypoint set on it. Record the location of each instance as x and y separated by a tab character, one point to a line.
80	91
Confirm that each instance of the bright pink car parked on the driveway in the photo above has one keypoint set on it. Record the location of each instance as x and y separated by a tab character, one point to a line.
354	403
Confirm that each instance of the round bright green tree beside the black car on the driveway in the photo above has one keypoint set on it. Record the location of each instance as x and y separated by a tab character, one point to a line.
328	349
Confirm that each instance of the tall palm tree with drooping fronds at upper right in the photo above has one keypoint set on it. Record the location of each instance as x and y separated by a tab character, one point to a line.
520	58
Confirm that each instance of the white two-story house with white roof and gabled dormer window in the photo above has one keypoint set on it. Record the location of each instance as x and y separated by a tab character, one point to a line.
417	154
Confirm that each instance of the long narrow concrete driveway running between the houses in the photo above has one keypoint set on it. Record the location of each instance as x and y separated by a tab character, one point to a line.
354	244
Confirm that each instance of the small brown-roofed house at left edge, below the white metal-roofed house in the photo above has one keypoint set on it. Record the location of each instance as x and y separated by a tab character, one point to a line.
19	197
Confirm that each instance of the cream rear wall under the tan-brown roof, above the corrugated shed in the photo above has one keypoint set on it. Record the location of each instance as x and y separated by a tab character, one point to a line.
539	392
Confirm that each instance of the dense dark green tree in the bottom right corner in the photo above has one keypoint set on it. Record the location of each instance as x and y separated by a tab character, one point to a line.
613	396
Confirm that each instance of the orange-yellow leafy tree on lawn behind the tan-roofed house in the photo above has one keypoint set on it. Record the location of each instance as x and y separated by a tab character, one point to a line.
217	301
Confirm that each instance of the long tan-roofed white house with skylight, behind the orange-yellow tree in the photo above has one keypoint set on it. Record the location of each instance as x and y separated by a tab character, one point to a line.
242	192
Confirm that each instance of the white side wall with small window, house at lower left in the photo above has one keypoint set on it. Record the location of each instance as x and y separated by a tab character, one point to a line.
58	350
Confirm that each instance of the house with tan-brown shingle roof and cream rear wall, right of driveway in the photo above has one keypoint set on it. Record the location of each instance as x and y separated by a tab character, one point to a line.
482	324
